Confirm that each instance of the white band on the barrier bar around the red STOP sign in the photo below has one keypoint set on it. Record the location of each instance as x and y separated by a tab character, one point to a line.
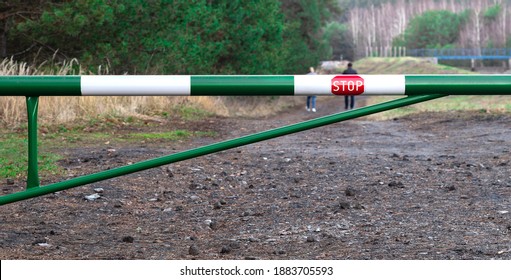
373	84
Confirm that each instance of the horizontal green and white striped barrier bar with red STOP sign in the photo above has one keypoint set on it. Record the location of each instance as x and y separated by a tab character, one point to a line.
255	85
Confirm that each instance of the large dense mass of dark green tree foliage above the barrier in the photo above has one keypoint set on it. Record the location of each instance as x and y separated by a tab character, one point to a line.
182	36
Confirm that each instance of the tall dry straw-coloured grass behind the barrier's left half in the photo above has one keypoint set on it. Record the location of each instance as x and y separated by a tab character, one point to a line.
60	110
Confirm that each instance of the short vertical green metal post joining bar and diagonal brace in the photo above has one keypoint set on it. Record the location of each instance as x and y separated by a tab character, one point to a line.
33	170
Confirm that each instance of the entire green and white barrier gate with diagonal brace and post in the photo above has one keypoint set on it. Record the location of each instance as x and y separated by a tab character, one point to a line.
414	87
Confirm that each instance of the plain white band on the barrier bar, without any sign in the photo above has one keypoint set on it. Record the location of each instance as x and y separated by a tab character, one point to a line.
136	85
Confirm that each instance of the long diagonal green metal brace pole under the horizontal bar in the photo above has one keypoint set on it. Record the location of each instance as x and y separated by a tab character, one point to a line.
209	149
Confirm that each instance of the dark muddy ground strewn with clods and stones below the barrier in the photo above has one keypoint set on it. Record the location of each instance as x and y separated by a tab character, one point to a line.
426	186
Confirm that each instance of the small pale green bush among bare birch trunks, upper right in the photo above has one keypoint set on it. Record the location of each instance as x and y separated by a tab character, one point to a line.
432	29
